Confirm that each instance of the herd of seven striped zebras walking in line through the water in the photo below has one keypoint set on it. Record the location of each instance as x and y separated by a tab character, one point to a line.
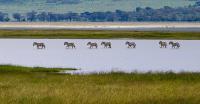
108	45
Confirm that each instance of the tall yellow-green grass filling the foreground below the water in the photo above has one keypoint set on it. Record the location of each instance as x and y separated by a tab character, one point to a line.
114	88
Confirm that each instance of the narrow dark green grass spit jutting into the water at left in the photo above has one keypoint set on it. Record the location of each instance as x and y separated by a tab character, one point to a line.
9	68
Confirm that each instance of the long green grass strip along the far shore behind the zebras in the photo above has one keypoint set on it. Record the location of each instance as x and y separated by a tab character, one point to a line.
96	34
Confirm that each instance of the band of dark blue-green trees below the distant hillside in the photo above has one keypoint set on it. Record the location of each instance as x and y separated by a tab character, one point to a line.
188	13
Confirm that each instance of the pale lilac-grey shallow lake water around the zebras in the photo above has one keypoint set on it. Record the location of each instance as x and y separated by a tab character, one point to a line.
147	56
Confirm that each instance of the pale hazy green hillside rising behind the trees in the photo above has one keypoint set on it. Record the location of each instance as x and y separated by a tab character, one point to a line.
64	6
